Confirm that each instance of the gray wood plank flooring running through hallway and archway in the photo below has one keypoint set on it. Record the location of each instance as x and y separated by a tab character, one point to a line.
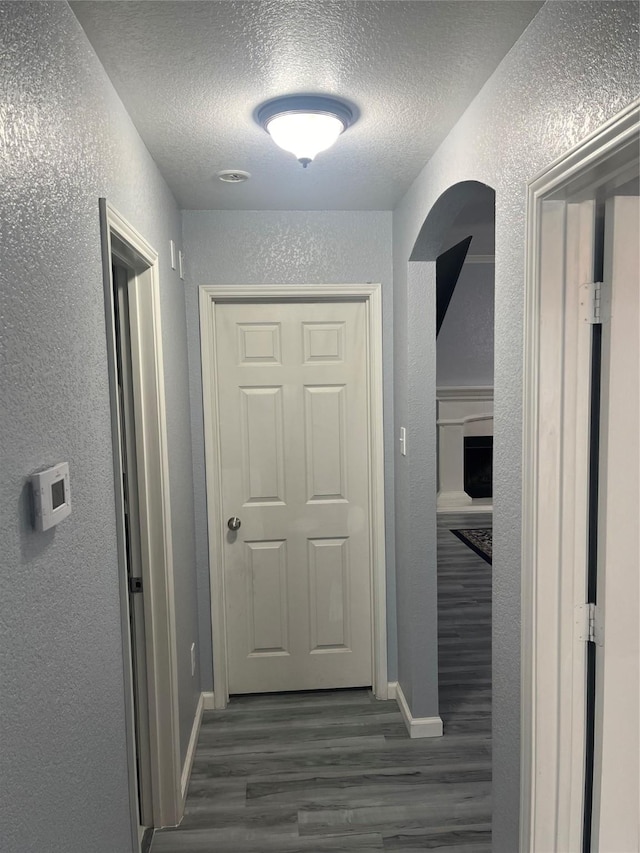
336	770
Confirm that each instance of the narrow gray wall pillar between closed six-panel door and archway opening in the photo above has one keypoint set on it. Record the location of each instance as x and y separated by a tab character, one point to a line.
416	578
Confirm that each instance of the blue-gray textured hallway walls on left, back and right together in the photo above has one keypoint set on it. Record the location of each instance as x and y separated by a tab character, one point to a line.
66	140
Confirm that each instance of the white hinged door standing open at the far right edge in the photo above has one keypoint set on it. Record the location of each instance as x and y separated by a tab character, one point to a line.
617	748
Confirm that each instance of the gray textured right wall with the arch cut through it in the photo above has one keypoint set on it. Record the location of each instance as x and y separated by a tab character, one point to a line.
574	67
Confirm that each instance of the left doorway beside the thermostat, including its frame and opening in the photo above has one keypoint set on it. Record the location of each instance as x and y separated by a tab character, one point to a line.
143	516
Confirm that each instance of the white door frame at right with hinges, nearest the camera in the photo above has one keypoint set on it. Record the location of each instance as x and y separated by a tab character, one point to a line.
555	482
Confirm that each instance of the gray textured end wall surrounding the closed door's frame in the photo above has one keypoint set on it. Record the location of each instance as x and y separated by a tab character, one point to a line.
280	247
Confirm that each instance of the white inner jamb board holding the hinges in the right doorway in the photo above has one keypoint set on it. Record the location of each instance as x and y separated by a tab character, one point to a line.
567	243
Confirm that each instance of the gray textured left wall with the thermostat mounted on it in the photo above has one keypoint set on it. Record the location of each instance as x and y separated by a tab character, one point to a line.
65	140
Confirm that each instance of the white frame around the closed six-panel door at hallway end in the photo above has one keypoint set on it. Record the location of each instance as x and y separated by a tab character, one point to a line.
370	294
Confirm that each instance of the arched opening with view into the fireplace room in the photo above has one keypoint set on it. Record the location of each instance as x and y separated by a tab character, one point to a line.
464	392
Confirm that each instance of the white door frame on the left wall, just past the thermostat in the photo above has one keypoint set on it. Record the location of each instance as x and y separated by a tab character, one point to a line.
155	517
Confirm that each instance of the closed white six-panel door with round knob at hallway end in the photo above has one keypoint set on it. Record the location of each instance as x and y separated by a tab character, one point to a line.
293	429
